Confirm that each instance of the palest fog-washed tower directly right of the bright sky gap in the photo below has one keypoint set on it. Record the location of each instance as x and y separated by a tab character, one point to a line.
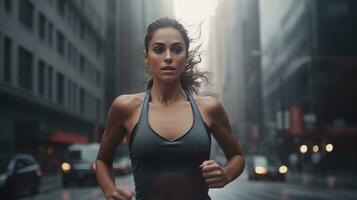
225	62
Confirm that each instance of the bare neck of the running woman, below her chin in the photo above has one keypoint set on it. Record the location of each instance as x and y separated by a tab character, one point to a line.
167	94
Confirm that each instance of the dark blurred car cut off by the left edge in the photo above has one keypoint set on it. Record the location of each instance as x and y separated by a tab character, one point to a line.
19	174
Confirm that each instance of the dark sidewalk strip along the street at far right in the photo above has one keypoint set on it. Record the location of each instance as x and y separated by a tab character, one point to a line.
346	181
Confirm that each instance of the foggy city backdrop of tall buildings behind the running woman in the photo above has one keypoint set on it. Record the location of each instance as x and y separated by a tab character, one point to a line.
285	71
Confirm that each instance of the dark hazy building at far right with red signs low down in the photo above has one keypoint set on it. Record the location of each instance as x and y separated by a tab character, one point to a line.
309	53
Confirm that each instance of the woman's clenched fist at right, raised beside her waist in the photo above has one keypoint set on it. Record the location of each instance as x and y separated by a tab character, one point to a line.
214	175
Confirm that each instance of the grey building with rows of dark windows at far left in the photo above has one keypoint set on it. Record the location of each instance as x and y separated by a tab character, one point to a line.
51	75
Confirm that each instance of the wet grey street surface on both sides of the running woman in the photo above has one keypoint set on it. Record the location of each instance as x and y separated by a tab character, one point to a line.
240	189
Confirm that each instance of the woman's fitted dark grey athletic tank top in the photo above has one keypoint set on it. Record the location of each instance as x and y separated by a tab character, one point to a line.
169	170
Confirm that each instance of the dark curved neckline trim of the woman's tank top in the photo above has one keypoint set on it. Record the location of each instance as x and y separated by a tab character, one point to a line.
182	135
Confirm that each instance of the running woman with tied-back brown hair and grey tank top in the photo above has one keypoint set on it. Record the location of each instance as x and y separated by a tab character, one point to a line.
169	127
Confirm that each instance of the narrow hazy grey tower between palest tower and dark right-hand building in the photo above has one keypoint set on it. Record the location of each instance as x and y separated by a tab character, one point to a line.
252	75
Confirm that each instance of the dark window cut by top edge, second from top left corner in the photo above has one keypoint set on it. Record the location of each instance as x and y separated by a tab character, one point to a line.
26	9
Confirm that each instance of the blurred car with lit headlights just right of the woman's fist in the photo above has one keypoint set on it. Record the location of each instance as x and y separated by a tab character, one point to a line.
262	167
